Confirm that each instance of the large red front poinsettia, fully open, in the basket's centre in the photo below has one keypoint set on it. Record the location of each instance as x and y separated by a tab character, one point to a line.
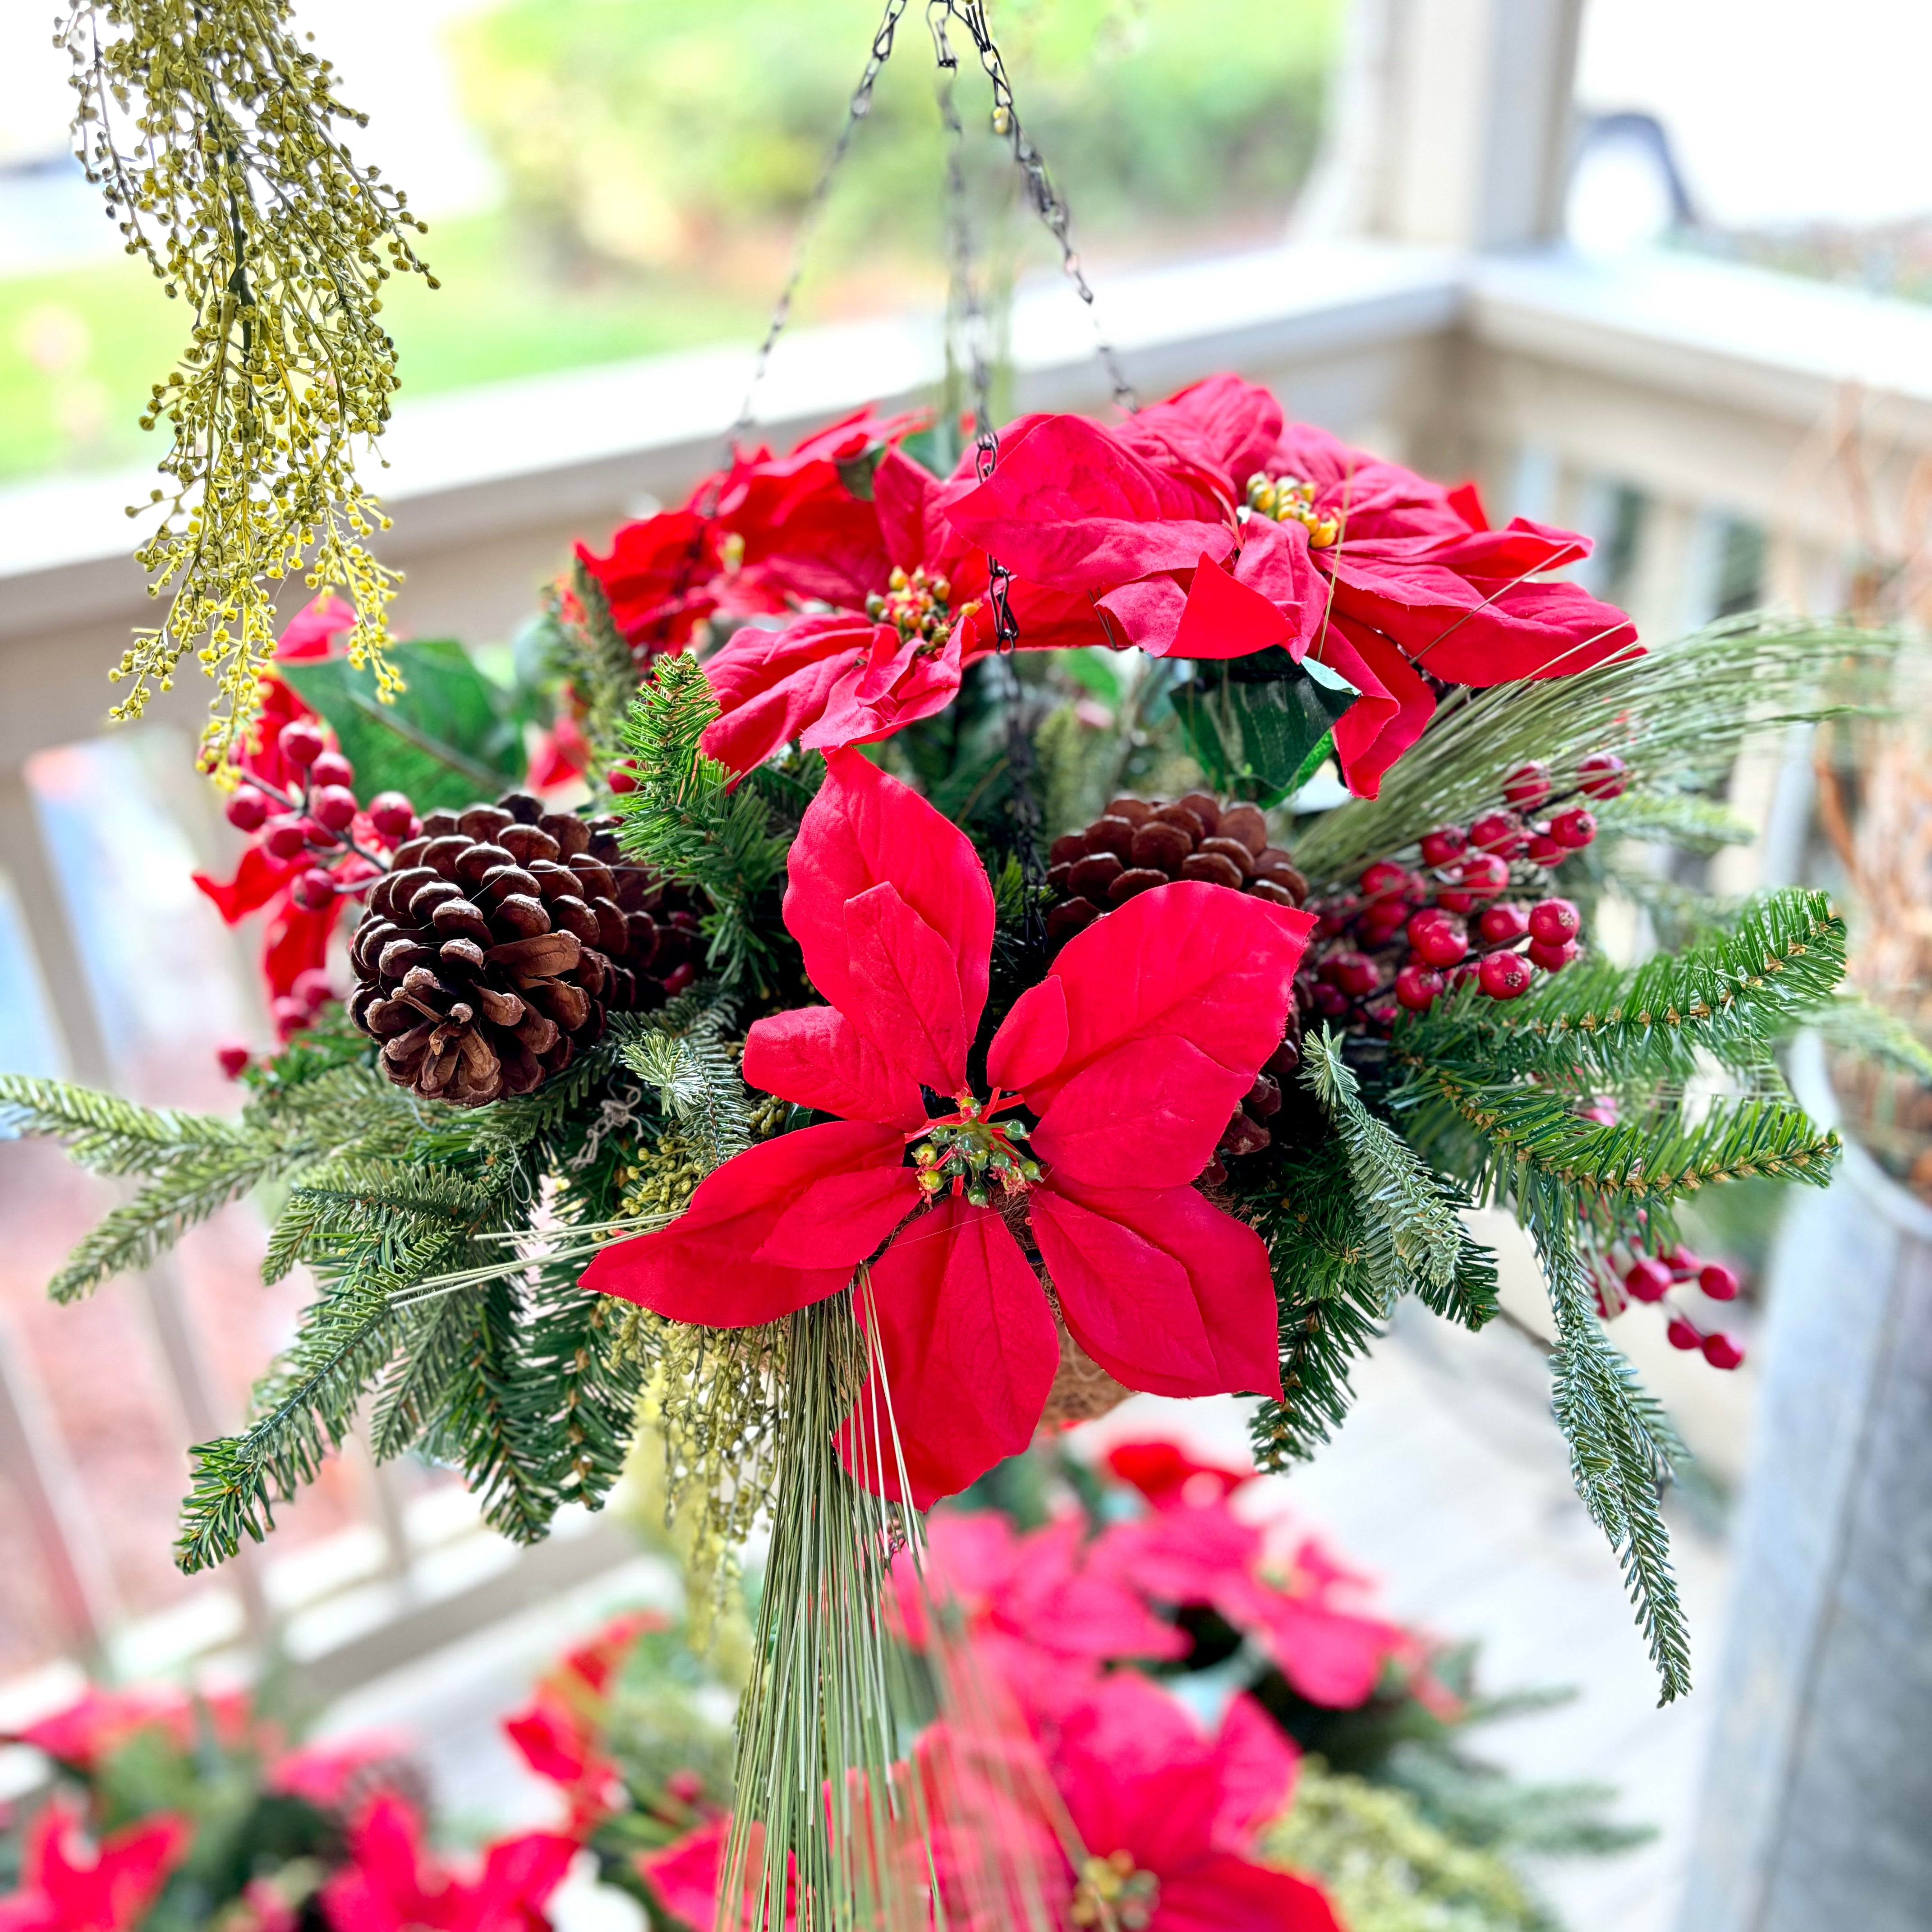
1131	1056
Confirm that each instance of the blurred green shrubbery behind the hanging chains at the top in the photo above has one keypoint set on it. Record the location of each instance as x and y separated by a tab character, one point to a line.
648	134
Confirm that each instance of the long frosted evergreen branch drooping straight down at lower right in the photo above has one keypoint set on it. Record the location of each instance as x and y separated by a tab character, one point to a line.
1620	1454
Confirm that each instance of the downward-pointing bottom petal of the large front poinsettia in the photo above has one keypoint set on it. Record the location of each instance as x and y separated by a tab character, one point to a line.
969	1350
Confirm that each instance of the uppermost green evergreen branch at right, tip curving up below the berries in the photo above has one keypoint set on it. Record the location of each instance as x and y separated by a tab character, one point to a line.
1734	998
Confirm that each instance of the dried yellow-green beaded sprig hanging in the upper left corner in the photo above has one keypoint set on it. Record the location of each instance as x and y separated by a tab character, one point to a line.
208	125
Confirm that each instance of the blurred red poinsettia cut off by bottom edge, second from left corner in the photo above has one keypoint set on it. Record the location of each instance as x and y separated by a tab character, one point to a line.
393	1885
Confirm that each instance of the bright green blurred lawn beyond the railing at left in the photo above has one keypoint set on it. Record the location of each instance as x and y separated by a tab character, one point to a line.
82	349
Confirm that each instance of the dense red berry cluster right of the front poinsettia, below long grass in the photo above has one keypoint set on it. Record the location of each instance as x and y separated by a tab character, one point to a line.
1406	936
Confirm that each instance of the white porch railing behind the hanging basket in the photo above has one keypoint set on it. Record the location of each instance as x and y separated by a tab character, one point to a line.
1668	405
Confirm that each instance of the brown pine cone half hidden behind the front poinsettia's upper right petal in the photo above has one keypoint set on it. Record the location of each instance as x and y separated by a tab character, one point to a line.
1139	843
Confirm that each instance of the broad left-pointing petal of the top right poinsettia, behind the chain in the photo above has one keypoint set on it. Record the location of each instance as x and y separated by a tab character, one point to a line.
1075	509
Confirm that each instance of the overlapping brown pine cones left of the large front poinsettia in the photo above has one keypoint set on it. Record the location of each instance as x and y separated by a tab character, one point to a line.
501	936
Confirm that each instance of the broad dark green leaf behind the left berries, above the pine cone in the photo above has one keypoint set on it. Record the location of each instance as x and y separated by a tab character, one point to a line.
447	741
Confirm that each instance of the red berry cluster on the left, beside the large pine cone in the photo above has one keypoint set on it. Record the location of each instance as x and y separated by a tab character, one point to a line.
327	841
